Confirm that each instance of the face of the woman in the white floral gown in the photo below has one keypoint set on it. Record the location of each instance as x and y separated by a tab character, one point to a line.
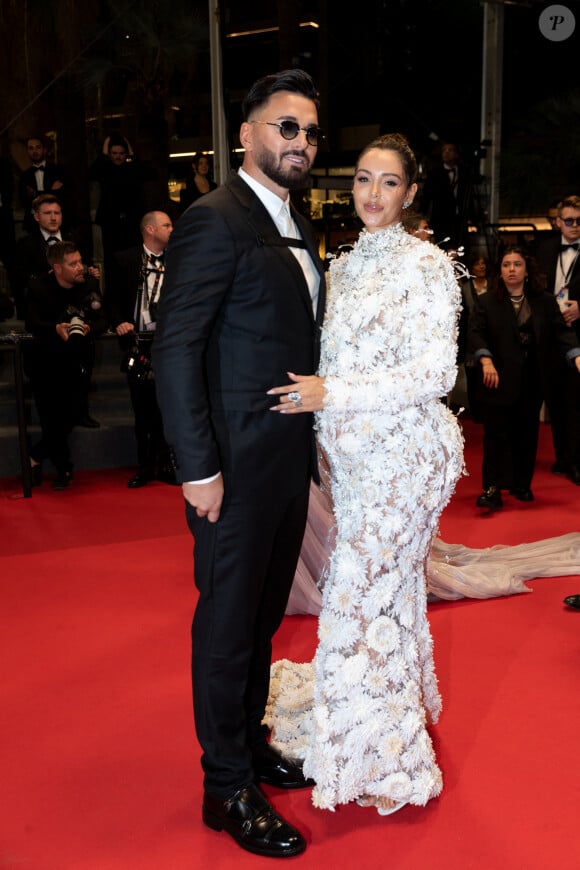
380	189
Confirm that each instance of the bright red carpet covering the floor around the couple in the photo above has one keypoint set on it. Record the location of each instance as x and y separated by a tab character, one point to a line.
100	769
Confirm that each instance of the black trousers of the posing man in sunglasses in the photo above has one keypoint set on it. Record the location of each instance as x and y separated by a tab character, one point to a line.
244	568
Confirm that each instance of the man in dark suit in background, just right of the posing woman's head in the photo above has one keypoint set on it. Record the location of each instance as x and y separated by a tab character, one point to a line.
446	198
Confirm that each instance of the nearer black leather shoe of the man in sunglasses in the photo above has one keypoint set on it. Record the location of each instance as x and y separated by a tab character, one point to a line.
252	822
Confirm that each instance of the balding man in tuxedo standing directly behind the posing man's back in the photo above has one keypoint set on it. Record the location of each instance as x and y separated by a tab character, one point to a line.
133	293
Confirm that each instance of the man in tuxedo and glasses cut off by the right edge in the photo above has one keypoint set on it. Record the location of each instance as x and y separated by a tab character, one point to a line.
559	258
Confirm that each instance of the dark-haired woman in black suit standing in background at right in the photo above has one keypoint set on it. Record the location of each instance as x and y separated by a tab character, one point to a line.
513	331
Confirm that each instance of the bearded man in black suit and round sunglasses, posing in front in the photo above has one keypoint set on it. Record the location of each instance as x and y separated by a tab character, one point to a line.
242	305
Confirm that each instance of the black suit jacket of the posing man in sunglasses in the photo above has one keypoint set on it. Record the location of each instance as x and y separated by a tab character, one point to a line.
235	316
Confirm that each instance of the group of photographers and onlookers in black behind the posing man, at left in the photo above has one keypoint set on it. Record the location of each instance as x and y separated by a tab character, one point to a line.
125	291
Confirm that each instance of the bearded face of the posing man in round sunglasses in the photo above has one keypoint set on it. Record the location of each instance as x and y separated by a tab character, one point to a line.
285	162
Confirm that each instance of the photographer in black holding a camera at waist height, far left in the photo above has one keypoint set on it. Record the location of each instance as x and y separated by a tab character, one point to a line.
64	313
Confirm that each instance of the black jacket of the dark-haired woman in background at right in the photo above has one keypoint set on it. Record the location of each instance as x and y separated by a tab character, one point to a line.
493	326
